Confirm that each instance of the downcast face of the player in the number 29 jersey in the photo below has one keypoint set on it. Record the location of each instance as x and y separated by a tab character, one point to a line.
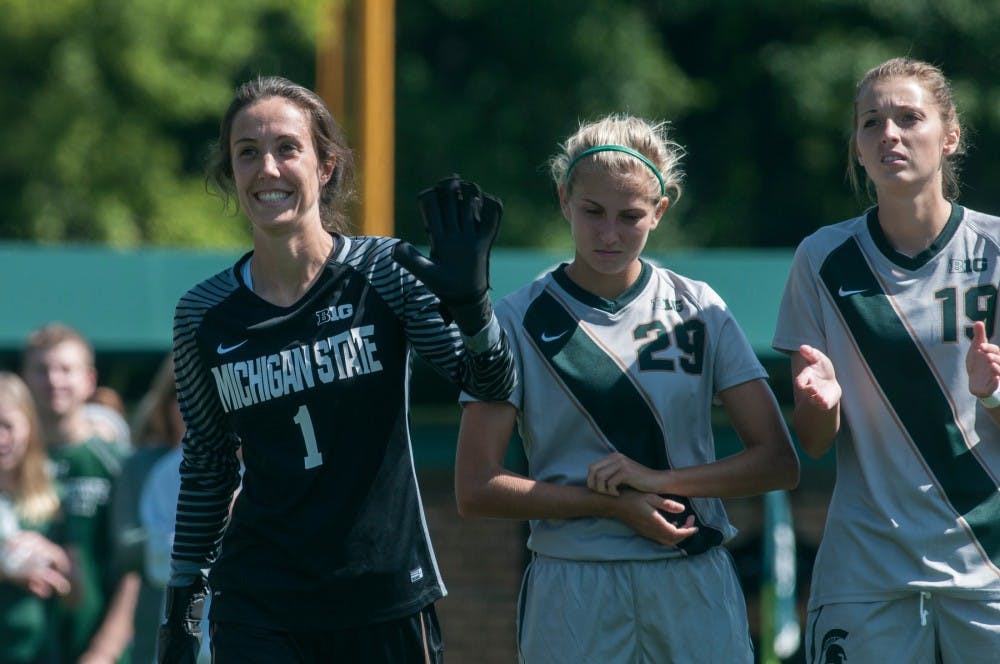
611	217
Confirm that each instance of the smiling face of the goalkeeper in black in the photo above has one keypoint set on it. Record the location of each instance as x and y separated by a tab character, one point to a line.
276	170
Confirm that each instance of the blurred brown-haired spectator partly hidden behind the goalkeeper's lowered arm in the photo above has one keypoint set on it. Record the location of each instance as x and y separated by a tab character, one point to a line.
158	427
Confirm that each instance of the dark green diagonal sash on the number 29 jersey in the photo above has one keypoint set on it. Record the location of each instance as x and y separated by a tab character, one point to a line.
607	397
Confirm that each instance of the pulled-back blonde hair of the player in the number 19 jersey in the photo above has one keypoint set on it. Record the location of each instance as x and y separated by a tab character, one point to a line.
933	81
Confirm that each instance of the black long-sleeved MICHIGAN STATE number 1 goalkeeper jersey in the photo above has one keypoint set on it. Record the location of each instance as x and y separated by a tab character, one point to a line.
328	530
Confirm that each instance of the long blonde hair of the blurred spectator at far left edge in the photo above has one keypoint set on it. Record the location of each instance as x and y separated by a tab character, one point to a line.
35	499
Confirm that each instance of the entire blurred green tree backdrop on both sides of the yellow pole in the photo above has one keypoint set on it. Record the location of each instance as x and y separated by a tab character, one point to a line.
110	105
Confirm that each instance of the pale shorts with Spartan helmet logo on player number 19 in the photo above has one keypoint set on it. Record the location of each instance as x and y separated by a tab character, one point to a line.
922	627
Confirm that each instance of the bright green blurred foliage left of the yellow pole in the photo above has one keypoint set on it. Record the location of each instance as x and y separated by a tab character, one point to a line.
110	105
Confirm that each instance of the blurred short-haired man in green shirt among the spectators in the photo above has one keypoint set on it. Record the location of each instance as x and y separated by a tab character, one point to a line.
58	367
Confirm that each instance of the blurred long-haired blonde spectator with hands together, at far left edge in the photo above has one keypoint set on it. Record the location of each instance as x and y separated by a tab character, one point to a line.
34	571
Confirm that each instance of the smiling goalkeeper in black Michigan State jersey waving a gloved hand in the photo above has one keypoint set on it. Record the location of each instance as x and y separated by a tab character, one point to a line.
299	354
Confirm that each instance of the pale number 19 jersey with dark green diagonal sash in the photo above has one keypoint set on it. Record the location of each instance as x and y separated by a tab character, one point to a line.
916	503
